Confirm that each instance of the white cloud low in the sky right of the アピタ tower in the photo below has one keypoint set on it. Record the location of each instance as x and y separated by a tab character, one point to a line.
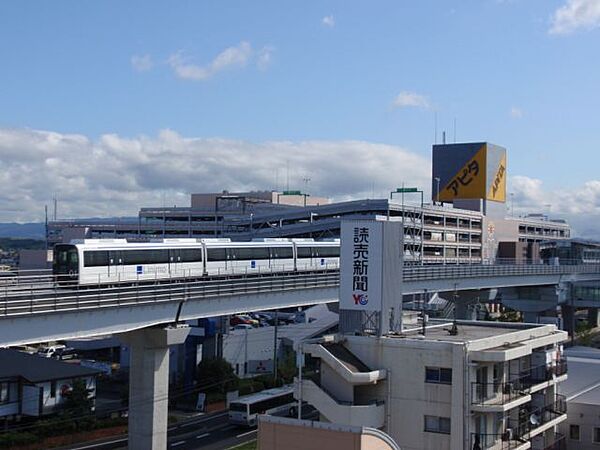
580	205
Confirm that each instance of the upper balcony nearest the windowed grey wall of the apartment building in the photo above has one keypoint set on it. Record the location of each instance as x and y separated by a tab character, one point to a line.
497	397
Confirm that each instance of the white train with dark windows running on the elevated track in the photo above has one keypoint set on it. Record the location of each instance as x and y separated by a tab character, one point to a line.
108	261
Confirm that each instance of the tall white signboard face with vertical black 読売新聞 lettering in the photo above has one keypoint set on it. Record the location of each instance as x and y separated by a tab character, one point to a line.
361	258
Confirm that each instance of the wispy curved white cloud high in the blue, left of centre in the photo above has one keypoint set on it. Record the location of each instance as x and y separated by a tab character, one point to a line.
231	57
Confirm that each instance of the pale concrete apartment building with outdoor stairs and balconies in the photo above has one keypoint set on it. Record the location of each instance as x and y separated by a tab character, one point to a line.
475	385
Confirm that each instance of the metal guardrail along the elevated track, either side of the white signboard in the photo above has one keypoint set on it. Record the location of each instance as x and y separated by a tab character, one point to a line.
42	294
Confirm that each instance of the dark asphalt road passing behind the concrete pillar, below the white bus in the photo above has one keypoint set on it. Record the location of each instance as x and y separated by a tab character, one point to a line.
209	432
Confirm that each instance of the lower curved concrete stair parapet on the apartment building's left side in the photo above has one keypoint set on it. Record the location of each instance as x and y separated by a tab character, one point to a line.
346	413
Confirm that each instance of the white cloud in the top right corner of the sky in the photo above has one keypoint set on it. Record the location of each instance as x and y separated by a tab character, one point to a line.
575	15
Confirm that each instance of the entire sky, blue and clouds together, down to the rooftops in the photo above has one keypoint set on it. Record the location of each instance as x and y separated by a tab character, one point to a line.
111	106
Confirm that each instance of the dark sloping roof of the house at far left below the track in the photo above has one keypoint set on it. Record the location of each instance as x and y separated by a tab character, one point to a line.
34	369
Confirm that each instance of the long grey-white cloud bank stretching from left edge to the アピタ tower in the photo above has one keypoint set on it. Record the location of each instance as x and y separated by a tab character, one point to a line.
115	175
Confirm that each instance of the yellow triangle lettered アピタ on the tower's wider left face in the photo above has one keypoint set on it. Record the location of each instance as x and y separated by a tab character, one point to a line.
469	182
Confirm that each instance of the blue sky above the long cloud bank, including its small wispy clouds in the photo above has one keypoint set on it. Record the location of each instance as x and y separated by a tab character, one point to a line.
520	73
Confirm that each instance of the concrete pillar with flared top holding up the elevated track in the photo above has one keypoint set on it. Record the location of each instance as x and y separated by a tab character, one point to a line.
149	384
